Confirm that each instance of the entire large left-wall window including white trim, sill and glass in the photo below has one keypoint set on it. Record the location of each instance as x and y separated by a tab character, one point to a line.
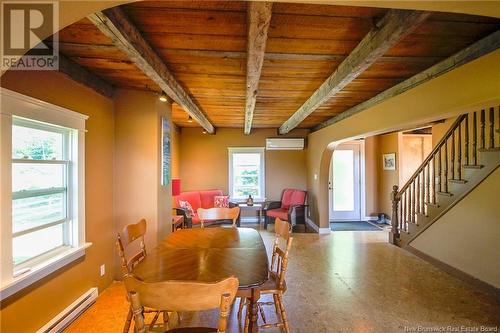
42	189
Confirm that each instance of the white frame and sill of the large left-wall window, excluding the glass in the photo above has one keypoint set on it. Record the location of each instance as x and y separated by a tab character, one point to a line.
15	105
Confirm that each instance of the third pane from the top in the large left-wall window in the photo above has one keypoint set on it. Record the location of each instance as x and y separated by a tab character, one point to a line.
35	211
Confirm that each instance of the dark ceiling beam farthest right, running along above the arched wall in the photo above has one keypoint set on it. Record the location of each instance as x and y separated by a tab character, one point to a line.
474	51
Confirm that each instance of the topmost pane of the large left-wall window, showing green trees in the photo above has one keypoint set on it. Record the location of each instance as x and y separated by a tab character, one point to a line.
36	144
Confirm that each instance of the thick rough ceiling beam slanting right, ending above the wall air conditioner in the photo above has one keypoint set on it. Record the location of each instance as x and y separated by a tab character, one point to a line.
385	34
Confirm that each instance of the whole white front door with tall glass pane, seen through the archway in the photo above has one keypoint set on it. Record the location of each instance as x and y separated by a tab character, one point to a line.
345	194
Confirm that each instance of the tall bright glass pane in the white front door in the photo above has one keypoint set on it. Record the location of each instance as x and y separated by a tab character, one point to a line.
343	178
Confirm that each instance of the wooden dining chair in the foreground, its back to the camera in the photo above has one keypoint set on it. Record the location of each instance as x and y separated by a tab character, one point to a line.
181	296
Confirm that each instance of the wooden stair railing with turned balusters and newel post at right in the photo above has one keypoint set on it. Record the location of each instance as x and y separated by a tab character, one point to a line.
443	165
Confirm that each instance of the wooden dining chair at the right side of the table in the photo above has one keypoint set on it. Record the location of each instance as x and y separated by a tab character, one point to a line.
276	284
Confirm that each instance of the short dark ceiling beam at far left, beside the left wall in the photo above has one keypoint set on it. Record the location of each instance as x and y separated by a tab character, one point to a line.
83	76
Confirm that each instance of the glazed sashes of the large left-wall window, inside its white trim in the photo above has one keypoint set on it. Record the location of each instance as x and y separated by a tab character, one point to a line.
40	206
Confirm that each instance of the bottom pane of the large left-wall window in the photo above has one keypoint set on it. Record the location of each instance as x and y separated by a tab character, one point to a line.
35	243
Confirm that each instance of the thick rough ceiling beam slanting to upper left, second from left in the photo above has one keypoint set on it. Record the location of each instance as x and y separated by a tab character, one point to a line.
116	26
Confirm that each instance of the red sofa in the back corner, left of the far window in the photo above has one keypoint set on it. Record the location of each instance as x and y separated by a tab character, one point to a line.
198	199
